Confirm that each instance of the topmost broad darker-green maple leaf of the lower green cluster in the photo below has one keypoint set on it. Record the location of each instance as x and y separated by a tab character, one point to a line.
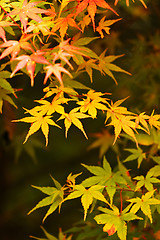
104	177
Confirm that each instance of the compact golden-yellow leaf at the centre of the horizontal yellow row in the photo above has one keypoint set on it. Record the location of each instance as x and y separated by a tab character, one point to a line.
92	103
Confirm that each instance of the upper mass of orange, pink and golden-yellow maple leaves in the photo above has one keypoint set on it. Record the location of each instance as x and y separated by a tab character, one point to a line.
30	51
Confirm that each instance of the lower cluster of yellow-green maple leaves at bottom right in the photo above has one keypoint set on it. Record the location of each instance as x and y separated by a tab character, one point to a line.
102	189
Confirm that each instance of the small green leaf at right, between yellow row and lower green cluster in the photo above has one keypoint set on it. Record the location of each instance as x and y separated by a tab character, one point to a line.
136	154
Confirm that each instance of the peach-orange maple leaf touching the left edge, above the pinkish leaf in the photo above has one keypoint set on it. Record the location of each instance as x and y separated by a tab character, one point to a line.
13	47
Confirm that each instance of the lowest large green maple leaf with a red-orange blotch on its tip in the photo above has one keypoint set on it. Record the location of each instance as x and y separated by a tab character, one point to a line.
115	221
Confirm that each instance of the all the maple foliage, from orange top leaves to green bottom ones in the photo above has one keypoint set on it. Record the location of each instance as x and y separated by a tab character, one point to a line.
50	38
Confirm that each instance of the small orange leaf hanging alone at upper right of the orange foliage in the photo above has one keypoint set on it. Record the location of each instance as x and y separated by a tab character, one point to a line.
104	25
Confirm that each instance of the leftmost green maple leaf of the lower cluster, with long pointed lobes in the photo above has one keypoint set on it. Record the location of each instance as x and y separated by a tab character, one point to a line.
54	198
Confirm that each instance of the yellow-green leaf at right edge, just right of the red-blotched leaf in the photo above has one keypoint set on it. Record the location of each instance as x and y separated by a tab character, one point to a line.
144	203
